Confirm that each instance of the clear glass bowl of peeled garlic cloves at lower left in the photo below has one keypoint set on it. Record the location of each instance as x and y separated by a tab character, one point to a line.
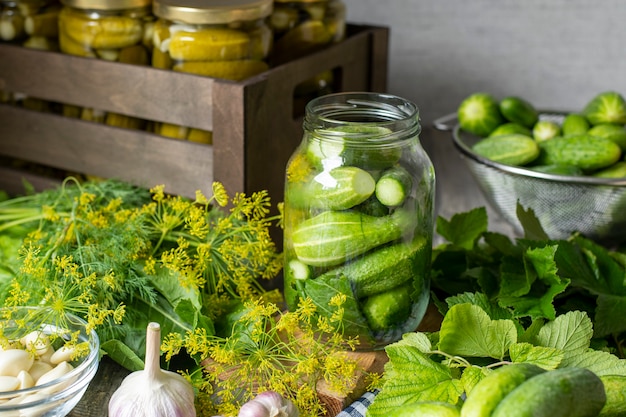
47	361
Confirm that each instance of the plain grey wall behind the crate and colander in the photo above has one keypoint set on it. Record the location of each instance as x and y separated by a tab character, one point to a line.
555	53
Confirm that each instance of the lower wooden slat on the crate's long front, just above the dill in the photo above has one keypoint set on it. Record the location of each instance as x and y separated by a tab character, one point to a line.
138	157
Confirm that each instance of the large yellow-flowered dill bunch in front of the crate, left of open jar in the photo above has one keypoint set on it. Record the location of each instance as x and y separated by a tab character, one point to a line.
97	250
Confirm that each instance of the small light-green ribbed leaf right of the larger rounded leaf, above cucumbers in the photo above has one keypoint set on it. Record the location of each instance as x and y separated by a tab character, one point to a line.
570	332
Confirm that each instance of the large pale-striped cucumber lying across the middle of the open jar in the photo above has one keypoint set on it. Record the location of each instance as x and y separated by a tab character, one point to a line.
333	237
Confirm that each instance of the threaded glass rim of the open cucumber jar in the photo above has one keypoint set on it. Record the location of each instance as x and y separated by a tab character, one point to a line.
357	116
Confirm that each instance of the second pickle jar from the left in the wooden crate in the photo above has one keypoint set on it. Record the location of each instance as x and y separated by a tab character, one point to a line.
119	31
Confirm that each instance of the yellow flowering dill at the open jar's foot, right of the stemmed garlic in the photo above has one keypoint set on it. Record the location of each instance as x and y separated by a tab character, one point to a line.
285	352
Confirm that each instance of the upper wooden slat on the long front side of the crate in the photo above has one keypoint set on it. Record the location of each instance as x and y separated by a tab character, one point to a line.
133	90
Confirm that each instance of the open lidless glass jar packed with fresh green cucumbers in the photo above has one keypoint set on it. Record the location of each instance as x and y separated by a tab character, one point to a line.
359	216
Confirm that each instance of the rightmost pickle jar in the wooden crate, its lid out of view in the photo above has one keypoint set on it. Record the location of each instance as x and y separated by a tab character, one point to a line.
304	26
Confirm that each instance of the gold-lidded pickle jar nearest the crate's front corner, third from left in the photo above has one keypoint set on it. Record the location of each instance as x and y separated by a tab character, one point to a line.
227	39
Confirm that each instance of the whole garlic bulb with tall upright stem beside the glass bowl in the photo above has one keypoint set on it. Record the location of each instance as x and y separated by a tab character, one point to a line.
153	392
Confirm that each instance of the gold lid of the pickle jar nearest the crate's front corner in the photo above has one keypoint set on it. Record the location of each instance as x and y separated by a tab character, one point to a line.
212	11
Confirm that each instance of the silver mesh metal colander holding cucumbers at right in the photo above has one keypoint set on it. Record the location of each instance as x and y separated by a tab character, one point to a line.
595	207
